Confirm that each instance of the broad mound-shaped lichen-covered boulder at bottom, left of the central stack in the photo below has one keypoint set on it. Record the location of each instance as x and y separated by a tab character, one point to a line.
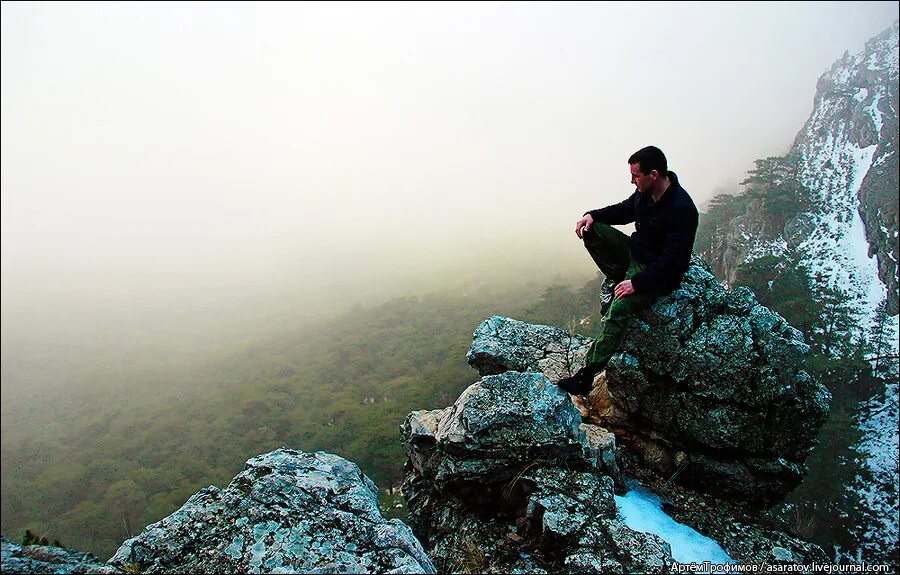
288	511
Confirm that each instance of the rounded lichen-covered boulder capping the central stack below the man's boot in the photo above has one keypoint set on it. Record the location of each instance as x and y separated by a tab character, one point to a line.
499	424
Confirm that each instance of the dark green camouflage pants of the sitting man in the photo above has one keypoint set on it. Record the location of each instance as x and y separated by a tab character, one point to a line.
611	251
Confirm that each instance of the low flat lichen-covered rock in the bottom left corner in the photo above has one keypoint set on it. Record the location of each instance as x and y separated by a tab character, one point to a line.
48	559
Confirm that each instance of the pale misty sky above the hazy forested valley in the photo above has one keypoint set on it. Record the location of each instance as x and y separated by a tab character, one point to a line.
237	144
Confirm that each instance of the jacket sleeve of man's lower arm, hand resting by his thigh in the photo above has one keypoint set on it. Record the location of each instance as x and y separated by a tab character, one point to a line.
667	270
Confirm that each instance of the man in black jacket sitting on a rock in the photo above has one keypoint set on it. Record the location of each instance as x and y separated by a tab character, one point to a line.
643	267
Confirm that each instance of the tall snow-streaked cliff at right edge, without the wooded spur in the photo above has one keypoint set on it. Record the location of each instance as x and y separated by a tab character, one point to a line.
847	154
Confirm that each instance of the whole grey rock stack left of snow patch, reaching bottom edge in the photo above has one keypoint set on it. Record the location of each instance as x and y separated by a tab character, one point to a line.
509	479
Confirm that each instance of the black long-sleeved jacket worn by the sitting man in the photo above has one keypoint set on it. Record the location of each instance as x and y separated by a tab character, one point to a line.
663	237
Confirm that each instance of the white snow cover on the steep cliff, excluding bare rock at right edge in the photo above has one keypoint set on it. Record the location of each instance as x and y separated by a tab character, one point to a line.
837	147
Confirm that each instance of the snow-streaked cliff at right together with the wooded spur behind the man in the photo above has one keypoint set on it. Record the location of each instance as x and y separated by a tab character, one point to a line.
845	160
